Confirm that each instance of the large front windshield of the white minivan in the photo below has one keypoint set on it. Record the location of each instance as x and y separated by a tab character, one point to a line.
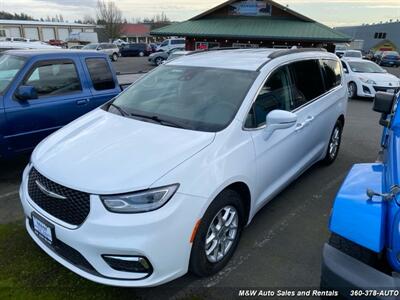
196	98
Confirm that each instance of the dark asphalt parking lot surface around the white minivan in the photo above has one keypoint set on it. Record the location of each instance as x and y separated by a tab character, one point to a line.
281	248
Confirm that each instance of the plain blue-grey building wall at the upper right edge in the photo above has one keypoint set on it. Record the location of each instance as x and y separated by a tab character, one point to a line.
374	34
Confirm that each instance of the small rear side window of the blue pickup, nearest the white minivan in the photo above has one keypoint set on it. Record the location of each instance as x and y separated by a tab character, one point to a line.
100	74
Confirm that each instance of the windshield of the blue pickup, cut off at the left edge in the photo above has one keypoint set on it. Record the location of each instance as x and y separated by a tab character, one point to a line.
9	67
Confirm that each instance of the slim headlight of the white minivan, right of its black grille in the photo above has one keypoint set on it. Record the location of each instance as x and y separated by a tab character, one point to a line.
140	202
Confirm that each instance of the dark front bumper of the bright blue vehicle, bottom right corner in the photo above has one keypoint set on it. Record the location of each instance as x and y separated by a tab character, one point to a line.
345	274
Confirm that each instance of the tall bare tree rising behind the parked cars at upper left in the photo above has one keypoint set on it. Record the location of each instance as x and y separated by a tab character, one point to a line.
109	15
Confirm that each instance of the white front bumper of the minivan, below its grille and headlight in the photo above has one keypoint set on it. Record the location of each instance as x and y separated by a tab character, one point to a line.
162	236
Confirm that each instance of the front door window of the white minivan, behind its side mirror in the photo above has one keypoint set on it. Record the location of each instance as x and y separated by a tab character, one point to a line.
275	94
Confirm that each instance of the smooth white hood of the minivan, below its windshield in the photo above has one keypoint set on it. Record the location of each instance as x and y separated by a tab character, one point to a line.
103	153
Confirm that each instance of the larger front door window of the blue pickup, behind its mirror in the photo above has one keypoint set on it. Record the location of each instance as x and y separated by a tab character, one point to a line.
54	78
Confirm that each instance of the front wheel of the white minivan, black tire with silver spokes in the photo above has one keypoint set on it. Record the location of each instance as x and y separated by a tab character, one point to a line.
218	234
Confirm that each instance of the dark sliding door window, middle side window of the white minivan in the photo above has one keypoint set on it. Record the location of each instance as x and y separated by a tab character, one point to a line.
308	83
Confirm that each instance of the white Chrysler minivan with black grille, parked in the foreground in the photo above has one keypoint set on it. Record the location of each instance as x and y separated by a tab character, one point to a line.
162	179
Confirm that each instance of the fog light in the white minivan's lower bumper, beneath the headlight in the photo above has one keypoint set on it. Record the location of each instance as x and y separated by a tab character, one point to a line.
133	264
